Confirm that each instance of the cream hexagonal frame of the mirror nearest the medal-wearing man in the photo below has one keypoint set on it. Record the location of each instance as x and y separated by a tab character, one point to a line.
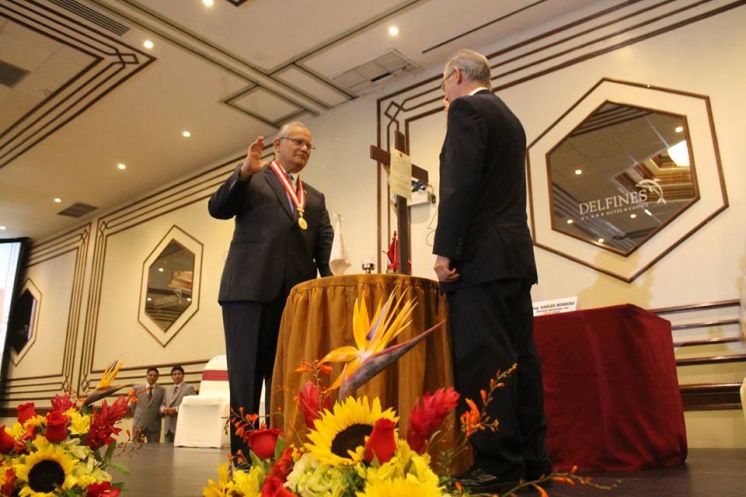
195	246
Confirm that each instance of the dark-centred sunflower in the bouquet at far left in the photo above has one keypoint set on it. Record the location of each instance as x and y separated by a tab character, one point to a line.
45	469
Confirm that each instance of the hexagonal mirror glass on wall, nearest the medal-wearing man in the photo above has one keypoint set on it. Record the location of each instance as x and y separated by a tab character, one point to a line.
170	279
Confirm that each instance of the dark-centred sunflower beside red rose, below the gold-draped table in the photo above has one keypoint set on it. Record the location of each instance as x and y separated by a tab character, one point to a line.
337	434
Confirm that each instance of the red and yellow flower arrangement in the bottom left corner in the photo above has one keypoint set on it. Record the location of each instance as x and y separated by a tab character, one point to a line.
68	451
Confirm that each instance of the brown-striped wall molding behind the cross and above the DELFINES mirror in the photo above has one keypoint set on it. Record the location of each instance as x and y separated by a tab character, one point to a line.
553	50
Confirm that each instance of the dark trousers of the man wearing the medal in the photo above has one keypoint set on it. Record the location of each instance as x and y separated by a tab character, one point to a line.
251	330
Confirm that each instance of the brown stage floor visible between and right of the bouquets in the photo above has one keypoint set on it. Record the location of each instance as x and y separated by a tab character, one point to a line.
164	471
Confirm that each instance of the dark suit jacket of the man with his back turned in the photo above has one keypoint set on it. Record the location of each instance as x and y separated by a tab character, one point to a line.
482	212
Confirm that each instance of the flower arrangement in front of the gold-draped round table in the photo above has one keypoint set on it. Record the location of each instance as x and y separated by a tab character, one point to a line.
354	447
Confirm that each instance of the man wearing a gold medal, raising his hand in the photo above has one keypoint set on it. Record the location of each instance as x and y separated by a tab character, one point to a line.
282	237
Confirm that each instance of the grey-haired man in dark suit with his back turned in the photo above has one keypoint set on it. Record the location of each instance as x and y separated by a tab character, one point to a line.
485	263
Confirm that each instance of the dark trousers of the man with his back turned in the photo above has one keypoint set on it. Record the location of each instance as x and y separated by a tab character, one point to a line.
491	329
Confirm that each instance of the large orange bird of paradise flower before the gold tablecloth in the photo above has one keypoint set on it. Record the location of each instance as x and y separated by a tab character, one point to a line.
370	354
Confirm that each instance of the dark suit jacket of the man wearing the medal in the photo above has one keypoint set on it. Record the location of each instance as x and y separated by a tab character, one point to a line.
269	252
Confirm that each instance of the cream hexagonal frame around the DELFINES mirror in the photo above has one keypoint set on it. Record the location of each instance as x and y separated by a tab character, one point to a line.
713	195
